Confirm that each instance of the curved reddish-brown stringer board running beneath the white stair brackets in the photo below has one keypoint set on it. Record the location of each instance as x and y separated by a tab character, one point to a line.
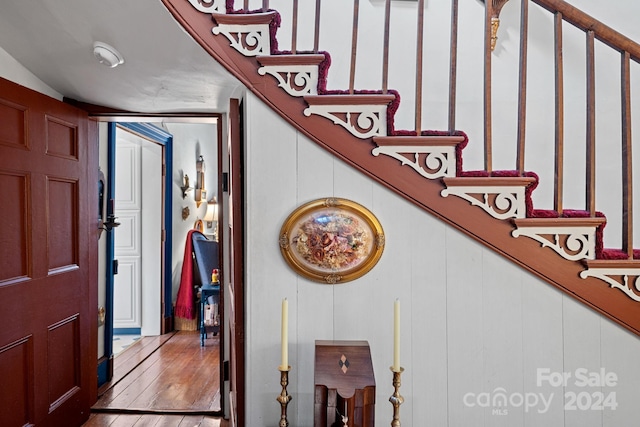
425	193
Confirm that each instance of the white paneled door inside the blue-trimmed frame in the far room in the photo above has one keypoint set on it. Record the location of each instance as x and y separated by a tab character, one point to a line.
138	207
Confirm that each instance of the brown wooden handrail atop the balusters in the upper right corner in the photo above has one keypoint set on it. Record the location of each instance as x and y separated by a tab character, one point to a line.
586	22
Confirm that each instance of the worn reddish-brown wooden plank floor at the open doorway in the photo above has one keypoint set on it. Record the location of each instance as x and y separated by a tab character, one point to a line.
163	381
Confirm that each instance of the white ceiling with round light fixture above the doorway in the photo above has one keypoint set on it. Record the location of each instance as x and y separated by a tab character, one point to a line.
164	71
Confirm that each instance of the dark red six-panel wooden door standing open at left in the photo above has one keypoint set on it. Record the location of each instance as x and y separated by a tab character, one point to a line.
48	253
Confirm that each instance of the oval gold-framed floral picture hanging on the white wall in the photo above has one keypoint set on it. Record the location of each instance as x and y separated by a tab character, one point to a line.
332	240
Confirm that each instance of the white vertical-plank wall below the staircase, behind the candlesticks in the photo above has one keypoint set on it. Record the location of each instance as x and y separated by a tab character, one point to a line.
474	326
